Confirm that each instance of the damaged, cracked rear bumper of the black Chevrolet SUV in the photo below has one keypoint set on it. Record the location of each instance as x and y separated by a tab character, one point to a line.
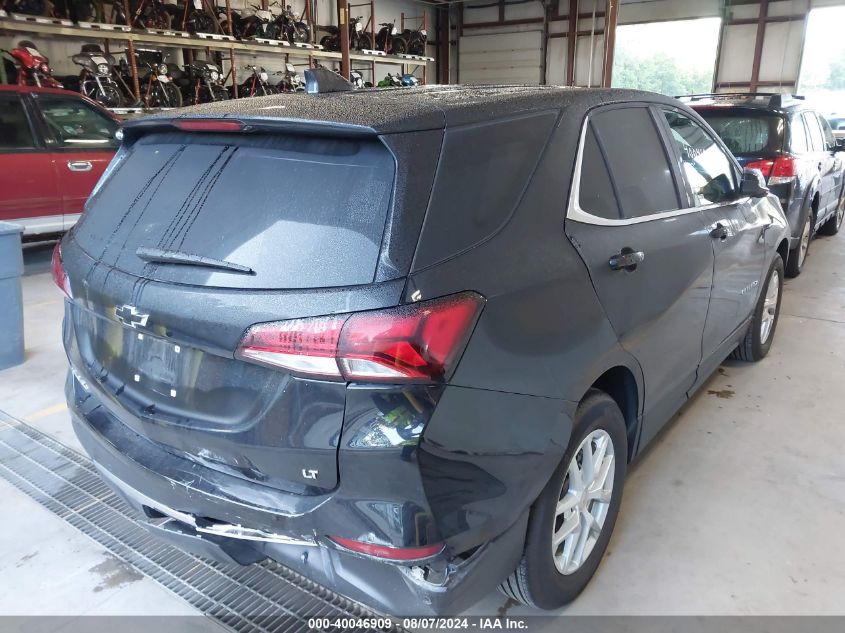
473	499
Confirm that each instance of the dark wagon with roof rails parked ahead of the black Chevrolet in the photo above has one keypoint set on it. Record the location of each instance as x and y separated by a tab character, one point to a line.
795	148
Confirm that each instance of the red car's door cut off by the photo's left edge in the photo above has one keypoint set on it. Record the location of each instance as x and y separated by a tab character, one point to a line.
28	192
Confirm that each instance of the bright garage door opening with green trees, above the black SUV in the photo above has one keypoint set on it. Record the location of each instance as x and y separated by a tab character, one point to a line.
673	58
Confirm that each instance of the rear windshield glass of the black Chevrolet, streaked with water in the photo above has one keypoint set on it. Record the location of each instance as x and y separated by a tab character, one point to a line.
300	212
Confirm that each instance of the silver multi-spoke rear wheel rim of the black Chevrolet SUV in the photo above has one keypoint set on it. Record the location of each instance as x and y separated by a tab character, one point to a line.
584	502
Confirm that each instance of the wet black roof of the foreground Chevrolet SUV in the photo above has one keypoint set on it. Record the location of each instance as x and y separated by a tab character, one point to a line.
389	110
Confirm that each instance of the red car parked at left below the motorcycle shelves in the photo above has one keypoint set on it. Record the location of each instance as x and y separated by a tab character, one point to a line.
54	146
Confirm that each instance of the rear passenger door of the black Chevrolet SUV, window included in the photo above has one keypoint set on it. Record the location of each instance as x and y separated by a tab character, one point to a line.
658	303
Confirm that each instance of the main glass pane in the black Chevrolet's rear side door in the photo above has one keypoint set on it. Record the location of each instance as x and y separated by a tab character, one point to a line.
637	161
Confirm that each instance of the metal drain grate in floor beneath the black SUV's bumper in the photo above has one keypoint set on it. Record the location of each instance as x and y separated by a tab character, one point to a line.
261	597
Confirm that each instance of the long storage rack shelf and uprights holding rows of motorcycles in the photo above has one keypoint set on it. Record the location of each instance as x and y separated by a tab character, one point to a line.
12	24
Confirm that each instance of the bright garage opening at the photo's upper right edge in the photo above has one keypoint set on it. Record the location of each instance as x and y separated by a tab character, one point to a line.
822	78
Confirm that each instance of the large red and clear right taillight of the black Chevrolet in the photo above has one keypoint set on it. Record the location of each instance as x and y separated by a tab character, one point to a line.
416	342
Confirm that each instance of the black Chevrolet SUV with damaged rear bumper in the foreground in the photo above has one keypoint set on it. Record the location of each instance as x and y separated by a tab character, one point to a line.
406	342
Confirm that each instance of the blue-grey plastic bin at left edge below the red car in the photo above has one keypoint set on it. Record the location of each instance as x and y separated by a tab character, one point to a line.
11	298
